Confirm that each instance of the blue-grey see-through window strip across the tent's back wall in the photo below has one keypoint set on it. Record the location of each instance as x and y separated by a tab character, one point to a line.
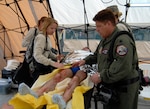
140	34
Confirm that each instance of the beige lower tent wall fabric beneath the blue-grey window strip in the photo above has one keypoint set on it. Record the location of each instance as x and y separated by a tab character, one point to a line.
143	47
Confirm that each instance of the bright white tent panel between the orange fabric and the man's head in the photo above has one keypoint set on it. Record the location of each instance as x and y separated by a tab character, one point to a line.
71	12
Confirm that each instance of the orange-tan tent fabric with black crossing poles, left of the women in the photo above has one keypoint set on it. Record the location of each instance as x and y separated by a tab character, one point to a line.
17	16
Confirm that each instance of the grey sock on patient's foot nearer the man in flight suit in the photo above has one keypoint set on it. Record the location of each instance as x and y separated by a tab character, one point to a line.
57	99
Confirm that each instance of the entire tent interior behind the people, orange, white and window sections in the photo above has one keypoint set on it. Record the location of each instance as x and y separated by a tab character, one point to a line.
17	16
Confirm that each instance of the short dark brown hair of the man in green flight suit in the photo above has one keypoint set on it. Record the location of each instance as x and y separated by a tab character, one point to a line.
104	16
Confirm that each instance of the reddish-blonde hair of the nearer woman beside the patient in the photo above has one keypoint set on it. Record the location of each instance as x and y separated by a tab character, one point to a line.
48	21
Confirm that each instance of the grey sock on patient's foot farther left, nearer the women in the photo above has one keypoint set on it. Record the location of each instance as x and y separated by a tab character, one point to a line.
23	89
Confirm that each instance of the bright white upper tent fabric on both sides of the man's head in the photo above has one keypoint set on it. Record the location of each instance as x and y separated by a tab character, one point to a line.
72	11
